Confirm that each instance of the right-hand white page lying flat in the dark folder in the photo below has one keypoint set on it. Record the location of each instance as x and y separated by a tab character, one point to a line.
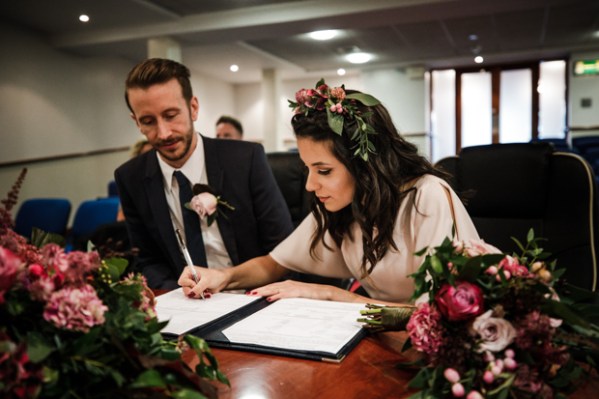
300	324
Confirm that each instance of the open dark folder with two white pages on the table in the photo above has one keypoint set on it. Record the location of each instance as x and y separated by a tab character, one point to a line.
298	327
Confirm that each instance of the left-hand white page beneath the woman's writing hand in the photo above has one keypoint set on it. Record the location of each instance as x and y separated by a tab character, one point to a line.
184	313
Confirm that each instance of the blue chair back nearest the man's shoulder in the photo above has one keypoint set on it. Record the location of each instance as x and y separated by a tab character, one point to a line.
90	215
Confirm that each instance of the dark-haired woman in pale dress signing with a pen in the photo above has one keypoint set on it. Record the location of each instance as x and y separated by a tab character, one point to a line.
377	202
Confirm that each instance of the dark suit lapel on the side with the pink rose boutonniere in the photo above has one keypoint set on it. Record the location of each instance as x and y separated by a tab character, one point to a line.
215	175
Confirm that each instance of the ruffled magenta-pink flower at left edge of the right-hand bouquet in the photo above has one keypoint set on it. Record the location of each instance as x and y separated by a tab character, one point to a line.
425	329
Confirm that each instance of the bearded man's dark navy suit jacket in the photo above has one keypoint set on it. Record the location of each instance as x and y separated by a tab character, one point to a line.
237	171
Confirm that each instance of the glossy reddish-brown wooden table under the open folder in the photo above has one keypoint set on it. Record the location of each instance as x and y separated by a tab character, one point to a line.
367	372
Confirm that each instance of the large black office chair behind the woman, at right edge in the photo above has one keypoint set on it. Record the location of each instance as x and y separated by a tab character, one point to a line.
510	188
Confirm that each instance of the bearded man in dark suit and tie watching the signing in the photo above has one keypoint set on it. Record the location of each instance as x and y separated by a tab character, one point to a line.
159	95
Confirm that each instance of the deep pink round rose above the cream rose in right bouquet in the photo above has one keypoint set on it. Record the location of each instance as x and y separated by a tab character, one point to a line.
461	302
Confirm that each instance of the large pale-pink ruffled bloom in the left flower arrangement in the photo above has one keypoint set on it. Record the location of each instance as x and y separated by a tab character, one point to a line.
77	309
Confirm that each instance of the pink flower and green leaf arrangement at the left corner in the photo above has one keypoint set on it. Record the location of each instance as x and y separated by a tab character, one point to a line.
72	326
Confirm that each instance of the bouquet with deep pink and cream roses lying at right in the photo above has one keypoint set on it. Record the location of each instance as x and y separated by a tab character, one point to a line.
491	325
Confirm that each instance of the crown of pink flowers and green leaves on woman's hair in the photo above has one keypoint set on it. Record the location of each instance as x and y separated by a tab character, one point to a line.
340	107
